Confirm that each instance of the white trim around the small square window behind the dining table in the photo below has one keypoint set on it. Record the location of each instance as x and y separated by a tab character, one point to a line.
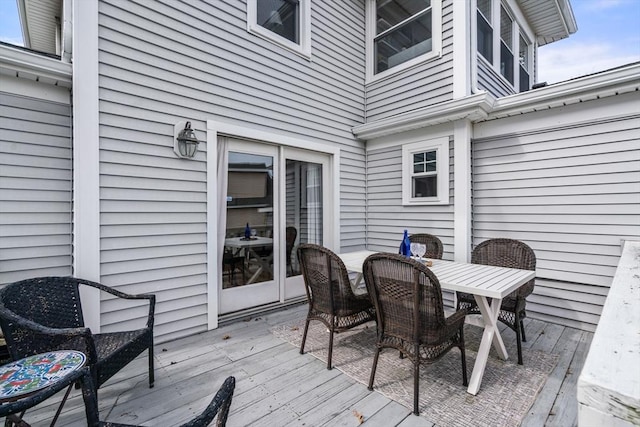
441	147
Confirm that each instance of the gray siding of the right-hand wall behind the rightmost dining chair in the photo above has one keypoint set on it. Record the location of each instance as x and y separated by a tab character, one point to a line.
571	193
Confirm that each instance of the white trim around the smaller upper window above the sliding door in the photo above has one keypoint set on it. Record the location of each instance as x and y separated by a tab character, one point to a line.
303	49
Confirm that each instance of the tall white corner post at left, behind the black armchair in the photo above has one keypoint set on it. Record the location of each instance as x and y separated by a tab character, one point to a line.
86	176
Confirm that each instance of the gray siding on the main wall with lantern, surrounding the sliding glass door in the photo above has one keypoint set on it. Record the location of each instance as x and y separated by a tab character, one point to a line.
167	61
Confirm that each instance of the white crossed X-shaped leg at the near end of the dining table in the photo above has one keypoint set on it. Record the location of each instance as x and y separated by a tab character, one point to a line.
491	334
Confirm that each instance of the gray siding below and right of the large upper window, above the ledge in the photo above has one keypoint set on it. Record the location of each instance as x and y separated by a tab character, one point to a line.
427	84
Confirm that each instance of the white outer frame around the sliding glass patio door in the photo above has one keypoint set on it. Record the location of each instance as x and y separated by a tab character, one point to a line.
216	128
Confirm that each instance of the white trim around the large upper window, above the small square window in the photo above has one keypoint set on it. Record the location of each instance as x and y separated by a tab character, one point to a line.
436	42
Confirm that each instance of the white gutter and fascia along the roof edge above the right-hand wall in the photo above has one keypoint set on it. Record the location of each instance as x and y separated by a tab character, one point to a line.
600	85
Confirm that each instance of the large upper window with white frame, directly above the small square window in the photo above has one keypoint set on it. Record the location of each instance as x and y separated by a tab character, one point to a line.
402	33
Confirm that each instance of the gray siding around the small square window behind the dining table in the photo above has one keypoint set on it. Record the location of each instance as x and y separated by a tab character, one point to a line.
387	218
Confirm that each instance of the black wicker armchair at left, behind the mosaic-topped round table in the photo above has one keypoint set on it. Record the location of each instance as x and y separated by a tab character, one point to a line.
44	314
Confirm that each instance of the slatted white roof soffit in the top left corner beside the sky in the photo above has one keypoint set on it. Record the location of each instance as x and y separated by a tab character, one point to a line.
39	20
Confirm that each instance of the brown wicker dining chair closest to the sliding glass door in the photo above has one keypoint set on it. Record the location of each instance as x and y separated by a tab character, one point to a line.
331	298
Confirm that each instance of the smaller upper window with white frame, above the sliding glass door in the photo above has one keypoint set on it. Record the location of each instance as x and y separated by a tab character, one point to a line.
285	22
